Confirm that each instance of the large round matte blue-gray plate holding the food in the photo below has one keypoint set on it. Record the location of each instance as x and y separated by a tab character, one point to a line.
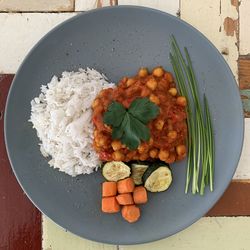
117	41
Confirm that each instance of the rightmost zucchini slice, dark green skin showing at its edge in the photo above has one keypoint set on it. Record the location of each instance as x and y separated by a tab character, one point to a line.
157	178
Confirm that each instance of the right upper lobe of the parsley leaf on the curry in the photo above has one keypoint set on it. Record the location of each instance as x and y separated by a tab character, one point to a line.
143	109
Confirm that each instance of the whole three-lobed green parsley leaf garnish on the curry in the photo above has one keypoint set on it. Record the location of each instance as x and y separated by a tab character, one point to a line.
130	125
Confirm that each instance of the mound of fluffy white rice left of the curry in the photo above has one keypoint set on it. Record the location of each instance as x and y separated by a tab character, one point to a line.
62	116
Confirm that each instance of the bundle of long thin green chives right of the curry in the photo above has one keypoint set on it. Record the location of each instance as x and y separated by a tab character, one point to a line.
200	132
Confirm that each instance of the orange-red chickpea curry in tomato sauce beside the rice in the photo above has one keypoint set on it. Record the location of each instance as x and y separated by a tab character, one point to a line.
168	131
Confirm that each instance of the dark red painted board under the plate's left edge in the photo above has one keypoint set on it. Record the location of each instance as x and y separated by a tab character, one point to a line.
20	221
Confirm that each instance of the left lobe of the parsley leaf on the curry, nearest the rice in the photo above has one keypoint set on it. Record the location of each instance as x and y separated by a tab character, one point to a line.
114	114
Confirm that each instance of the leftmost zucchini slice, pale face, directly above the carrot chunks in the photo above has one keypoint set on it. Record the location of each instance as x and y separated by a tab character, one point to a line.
115	171
